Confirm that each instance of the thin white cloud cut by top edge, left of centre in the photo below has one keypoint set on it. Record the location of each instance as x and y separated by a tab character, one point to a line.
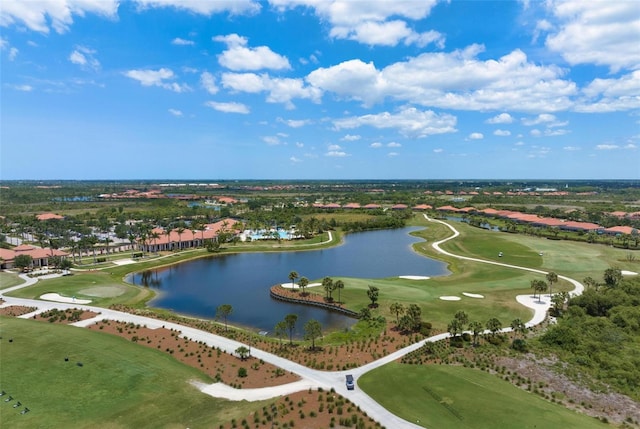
234	7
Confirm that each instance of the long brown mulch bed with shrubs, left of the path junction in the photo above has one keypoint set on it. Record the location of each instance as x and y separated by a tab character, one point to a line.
214	362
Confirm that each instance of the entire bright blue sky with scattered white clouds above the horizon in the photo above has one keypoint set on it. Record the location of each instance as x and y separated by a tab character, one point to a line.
319	89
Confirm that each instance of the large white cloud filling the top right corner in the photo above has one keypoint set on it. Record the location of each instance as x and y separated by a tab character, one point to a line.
596	32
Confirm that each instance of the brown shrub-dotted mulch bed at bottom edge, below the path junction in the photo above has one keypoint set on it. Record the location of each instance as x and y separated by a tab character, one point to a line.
307	410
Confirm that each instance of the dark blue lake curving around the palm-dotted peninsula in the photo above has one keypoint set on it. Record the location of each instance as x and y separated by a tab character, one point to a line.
243	280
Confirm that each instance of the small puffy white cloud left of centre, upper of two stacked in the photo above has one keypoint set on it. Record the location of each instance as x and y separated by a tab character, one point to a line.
238	57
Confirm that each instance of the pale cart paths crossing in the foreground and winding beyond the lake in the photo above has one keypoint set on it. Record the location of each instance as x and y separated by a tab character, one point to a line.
310	378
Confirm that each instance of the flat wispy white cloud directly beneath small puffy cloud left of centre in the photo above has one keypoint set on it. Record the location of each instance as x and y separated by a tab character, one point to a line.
279	90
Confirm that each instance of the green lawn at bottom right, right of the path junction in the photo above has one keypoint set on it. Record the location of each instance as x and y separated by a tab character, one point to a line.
456	397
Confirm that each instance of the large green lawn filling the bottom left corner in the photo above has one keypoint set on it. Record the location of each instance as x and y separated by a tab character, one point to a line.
120	384
